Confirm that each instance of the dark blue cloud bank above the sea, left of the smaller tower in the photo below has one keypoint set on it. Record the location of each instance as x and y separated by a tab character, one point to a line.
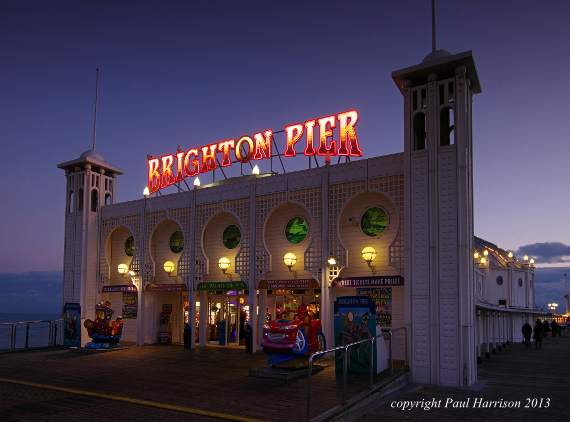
32	292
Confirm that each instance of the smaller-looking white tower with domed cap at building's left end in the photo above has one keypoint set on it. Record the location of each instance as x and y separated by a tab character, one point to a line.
91	184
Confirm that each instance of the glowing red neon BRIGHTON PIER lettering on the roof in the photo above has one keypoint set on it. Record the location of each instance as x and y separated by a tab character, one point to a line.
170	169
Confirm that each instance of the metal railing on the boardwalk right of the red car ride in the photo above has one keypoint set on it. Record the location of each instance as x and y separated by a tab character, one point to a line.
346	353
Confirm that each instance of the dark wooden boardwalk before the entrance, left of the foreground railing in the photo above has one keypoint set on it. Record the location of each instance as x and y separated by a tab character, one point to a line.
204	384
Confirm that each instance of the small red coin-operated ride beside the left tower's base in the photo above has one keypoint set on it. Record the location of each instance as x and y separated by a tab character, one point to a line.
104	333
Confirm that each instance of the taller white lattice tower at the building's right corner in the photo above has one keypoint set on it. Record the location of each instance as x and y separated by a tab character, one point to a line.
439	216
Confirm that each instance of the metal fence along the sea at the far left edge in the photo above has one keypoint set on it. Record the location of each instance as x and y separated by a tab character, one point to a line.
30	334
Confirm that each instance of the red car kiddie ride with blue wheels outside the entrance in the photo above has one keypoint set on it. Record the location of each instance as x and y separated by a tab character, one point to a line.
292	337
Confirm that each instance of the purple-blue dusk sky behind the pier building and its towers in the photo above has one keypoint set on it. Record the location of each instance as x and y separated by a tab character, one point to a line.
191	73
